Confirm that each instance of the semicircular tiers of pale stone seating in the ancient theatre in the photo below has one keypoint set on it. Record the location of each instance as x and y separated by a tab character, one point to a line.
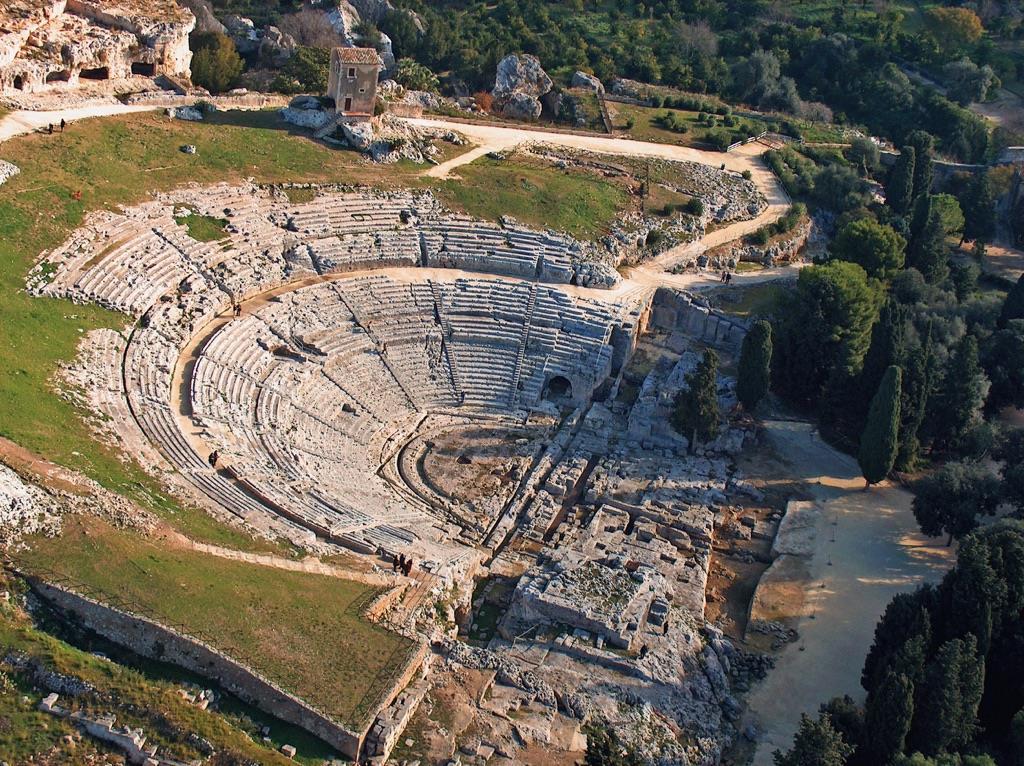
307	396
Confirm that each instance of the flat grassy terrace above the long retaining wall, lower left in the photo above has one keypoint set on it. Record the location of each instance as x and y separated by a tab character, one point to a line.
306	632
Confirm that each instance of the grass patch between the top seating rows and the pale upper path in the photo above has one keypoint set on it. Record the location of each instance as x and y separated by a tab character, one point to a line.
537	194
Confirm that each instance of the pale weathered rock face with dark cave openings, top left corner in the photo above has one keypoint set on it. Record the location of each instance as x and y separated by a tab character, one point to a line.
45	44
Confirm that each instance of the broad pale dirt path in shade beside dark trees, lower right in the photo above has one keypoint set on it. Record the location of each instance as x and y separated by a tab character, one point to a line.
878	552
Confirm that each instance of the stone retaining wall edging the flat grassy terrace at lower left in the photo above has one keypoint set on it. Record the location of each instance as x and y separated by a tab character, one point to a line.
149	640
